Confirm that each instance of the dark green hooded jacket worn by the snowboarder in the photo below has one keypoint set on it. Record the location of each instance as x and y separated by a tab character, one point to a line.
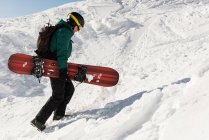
61	44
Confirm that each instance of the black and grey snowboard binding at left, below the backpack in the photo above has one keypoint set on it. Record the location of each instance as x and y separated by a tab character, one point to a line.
37	70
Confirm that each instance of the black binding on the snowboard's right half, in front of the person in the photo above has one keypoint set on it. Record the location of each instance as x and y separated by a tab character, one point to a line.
81	74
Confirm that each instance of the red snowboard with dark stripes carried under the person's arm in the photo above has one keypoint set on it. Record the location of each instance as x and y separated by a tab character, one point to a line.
102	76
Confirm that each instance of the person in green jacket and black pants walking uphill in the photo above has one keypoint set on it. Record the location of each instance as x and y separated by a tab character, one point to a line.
62	87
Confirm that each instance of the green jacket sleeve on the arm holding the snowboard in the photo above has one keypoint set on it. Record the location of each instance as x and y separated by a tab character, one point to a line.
63	40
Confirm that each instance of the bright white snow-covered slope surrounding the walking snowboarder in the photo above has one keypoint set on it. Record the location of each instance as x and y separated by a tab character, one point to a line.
159	47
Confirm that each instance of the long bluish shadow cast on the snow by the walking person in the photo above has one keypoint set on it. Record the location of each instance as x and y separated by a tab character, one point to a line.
110	109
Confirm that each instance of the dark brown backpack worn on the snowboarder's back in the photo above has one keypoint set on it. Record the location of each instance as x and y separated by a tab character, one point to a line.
44	39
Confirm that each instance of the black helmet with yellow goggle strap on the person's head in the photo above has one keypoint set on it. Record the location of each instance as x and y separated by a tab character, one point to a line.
77	18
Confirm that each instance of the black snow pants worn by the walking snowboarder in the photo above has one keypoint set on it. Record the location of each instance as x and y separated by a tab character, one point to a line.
62	92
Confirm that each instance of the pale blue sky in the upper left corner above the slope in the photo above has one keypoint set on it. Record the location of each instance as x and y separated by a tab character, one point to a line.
14	8
